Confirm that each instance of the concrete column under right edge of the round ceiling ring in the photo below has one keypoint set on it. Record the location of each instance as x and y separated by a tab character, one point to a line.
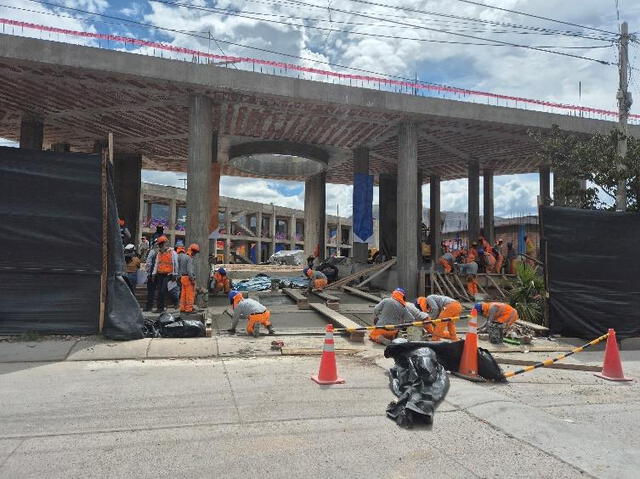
314	215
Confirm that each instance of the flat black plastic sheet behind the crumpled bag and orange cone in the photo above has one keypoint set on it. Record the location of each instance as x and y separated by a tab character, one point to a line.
449	355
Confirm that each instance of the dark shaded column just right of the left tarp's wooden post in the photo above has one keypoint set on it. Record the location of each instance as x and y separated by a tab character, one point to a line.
127	170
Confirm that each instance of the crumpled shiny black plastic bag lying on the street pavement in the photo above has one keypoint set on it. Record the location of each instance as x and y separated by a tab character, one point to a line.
420	383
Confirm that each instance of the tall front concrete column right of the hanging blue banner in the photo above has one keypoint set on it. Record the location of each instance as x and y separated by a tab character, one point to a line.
407	209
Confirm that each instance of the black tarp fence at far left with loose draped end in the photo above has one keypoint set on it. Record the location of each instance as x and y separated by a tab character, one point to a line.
51	227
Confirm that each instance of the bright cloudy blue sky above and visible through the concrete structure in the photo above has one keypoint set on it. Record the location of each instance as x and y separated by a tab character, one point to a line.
450	42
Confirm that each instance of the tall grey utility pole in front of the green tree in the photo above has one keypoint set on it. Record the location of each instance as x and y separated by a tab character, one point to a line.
624	105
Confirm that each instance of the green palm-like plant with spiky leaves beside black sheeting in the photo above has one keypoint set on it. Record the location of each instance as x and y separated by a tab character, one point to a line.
527	295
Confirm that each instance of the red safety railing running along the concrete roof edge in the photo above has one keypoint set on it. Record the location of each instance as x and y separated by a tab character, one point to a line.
326	73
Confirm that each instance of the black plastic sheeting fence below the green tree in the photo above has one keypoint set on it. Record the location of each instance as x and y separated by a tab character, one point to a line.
592	267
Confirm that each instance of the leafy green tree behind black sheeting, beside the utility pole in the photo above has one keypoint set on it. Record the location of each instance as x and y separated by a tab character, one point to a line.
594	159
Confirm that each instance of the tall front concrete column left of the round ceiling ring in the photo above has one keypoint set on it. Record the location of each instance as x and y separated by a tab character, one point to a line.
199	181
